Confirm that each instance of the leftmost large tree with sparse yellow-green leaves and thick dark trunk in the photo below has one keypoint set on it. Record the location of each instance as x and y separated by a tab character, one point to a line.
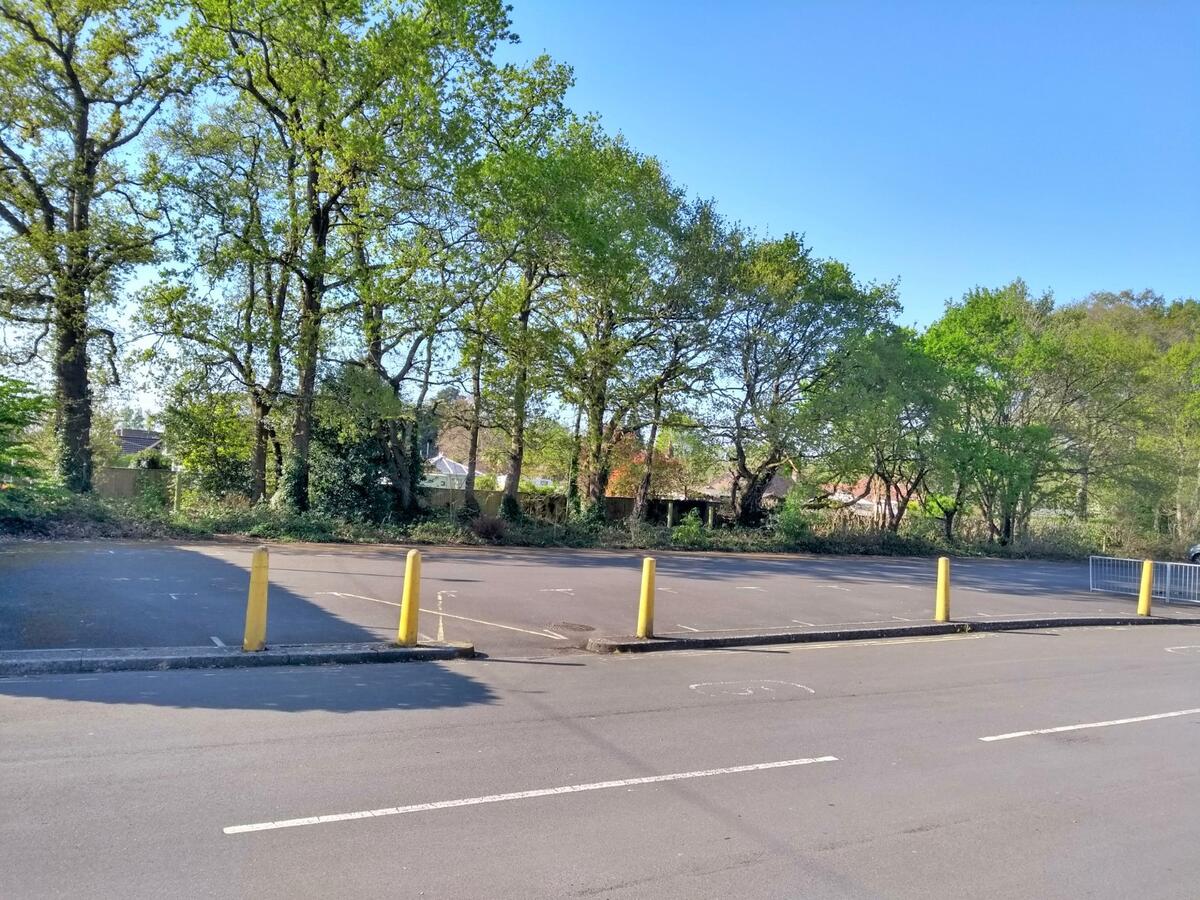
82	80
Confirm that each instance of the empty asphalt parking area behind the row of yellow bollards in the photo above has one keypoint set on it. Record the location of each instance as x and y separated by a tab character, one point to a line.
505	601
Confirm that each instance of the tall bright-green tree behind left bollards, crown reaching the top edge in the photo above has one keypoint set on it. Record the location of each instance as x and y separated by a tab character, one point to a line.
353	92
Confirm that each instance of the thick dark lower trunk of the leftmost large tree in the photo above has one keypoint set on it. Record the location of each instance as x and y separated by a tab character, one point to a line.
73	391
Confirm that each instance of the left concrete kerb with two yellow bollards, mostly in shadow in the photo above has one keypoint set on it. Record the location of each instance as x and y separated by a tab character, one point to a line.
77	662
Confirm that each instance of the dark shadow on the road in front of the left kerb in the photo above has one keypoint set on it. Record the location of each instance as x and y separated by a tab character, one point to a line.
290	689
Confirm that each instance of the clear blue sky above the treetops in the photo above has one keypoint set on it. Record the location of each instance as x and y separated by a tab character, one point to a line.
945	145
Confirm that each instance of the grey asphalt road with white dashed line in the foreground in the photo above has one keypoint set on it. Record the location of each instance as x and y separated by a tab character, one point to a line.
1041	765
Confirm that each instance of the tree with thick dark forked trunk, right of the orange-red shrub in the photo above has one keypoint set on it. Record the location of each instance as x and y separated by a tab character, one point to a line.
791	323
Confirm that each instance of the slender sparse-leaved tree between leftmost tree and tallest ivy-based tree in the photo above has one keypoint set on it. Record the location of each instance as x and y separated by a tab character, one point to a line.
230	309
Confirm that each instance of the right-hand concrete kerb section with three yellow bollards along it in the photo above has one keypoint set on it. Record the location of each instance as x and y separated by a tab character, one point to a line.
694	643
